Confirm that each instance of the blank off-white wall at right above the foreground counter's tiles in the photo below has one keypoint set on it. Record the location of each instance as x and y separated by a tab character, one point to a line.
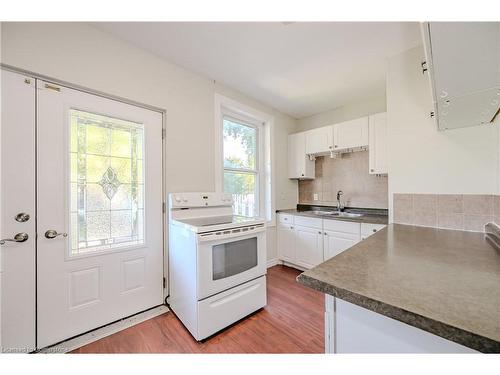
423	159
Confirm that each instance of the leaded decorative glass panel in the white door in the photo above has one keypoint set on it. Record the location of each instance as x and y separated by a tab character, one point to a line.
107	182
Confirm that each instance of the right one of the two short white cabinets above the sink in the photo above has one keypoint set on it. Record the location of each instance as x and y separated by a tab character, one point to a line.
351	134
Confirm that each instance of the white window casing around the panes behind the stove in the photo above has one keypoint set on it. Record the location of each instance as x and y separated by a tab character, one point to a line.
228	107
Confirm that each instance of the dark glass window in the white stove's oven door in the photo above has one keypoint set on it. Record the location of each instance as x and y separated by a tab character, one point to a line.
233	258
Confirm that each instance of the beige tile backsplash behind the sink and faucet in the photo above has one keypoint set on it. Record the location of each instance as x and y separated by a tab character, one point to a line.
349	174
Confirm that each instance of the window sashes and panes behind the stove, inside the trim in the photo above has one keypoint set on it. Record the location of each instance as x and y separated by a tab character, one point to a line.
241	164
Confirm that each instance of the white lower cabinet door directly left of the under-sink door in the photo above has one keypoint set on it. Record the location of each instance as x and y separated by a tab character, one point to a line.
308	246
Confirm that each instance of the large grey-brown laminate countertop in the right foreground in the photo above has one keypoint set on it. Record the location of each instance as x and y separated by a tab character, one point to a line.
445	282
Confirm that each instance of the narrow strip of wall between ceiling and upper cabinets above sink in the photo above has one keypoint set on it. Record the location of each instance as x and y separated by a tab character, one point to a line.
348	112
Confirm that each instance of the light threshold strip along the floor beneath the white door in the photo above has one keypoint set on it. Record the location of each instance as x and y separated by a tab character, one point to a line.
108	330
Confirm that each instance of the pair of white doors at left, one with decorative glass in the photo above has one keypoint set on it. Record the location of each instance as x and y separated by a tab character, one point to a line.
90	180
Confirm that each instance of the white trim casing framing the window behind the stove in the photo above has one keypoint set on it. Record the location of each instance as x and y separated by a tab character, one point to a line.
223	104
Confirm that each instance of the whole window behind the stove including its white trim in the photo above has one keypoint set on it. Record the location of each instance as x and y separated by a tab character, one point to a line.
244	158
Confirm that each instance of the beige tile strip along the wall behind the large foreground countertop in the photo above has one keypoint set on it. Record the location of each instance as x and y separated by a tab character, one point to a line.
451	211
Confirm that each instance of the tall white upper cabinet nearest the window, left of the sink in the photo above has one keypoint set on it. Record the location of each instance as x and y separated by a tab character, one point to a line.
299	165
